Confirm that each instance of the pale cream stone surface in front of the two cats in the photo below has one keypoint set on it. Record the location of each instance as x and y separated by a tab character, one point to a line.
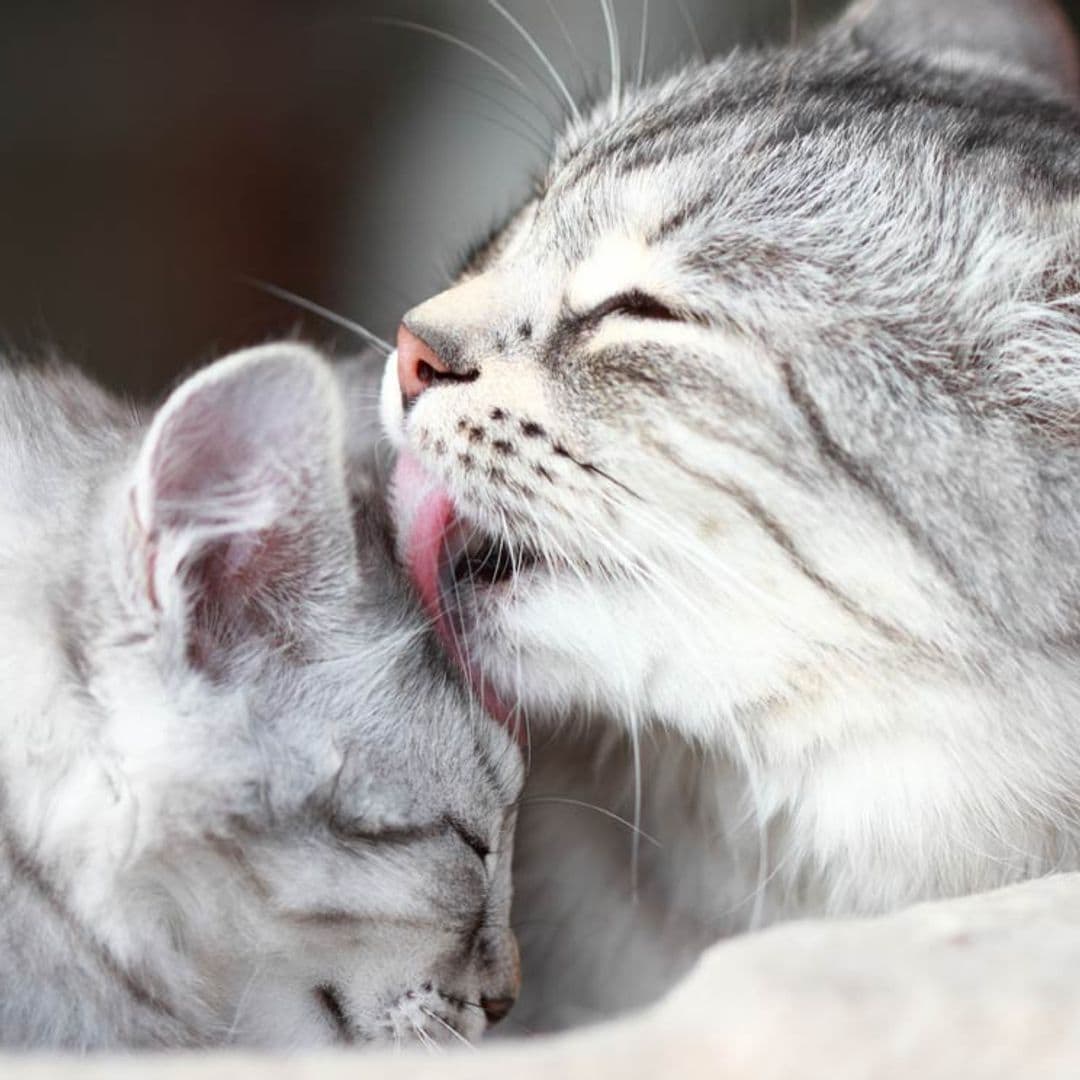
980	988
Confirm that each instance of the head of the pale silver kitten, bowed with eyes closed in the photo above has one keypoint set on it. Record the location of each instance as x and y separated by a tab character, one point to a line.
313	823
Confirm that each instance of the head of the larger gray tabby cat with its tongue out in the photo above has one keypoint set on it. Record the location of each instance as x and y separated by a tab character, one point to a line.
712	418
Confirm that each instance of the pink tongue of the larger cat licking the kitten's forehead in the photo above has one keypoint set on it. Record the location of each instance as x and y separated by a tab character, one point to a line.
433	518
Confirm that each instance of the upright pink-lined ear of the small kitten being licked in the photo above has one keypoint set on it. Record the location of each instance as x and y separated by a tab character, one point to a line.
238	504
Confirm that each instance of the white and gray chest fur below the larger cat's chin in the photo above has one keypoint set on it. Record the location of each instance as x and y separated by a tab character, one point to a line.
893	817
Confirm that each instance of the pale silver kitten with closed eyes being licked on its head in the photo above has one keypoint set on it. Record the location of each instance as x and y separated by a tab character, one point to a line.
242	801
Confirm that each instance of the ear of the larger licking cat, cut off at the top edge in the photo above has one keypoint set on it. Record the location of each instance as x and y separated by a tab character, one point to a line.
1030	37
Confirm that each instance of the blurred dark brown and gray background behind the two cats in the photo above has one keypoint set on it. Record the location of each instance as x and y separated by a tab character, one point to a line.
155	155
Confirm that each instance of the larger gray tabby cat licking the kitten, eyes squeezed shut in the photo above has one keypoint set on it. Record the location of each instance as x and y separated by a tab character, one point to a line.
742	469
